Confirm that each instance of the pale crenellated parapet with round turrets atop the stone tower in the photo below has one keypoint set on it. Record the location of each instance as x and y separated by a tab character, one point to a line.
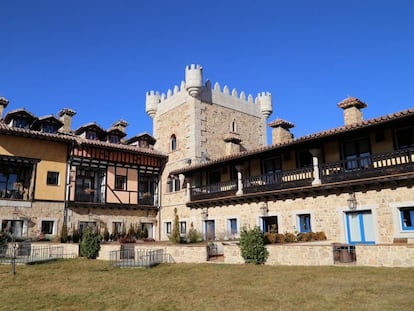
193	86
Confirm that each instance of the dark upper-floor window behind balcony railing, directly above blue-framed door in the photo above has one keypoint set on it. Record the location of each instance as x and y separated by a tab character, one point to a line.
357	153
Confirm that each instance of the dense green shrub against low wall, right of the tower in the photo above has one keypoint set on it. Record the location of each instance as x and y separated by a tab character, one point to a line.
252	246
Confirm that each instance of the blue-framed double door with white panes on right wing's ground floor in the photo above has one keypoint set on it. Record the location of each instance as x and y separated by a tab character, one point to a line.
360	227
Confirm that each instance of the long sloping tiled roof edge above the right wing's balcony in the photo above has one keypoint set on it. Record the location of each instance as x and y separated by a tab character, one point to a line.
317	135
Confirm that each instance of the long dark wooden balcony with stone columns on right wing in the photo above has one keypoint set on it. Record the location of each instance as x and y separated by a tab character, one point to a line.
386	165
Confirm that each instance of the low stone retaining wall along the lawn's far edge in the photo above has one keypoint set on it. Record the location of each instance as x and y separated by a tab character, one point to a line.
303	254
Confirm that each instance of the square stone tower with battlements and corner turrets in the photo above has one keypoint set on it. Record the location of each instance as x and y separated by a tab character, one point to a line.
194	123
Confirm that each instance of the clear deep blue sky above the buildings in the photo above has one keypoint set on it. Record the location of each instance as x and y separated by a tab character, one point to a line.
100	57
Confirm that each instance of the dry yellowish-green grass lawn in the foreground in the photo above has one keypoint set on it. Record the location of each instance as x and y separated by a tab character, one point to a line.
81	284
